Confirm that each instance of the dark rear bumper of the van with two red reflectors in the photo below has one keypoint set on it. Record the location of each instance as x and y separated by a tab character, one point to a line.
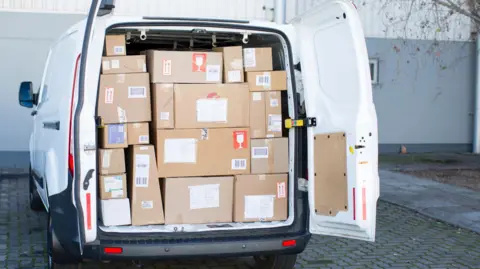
139	251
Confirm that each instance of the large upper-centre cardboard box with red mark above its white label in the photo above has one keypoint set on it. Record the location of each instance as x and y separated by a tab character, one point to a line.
211	105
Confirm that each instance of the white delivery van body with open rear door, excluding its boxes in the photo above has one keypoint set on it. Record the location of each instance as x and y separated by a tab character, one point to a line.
333	146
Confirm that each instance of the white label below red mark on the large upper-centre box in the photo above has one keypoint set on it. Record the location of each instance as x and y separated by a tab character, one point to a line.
212	110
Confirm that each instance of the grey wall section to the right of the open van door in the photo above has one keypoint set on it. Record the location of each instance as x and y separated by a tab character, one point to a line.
425	94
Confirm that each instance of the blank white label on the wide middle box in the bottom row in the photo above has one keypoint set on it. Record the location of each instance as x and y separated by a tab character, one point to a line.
204	196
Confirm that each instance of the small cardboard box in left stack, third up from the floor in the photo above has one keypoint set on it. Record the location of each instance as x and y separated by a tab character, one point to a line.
111	161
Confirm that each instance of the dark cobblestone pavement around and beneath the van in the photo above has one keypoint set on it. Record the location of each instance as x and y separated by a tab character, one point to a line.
405	239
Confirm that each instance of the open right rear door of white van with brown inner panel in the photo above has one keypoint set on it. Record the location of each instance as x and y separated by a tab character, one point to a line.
342	143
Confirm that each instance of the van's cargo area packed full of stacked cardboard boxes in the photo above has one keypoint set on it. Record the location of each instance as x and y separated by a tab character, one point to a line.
191	132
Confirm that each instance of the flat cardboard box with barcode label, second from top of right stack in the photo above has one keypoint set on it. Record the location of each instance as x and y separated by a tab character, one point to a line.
267	81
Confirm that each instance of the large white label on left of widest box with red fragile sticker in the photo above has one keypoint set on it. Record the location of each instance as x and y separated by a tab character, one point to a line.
181	150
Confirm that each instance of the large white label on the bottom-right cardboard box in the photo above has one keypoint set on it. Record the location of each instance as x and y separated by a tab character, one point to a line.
259	207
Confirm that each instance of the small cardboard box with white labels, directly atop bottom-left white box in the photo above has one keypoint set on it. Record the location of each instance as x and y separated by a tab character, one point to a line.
113	187
